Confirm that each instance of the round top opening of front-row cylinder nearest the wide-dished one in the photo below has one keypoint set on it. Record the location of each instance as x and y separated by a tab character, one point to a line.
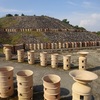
51	78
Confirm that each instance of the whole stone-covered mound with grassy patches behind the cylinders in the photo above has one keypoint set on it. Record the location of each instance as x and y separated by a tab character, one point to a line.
41	22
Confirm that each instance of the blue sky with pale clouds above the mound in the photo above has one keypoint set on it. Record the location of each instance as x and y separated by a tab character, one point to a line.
84	13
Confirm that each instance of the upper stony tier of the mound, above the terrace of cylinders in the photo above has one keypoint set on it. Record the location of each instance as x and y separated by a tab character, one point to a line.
33	22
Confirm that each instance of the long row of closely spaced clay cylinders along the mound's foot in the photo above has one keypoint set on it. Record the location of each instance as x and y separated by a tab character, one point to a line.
60	45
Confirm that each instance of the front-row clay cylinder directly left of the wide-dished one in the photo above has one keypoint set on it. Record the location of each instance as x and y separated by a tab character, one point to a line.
51	85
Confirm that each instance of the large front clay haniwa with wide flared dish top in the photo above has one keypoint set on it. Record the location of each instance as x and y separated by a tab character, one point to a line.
81	90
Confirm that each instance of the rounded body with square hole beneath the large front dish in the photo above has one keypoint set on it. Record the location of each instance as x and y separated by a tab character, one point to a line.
81	91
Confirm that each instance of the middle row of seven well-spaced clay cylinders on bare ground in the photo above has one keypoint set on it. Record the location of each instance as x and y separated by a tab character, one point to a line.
44	56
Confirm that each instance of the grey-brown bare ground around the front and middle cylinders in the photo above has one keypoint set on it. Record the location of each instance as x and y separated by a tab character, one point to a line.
93	65
